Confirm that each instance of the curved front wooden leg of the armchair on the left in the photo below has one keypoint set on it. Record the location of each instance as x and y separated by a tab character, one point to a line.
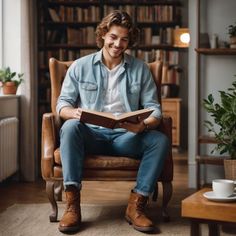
51	196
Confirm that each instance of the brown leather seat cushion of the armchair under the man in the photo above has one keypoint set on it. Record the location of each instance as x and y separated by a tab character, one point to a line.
104	162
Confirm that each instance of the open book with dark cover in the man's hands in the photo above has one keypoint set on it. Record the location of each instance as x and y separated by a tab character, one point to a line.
112	121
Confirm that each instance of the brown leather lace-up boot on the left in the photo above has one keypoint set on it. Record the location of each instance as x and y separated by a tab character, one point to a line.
71	218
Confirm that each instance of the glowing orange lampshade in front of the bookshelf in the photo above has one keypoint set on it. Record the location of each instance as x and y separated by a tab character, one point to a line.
181	37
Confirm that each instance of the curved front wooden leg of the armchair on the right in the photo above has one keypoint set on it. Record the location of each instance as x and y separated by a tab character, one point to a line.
167	194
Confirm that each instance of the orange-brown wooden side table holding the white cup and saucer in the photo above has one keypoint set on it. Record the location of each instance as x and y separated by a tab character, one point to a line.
200	210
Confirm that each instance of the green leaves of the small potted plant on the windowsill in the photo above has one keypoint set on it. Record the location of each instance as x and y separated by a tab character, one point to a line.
6	75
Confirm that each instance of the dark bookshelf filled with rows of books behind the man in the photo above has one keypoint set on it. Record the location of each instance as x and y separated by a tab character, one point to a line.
66	32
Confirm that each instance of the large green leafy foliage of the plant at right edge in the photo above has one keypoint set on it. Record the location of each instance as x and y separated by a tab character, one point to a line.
224	115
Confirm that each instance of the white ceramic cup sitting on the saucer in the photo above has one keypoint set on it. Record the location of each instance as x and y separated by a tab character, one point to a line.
223	187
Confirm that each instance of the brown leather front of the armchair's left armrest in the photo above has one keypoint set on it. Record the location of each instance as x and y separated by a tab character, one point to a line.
48	144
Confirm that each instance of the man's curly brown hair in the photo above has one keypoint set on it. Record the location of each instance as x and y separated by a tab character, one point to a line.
119	18
